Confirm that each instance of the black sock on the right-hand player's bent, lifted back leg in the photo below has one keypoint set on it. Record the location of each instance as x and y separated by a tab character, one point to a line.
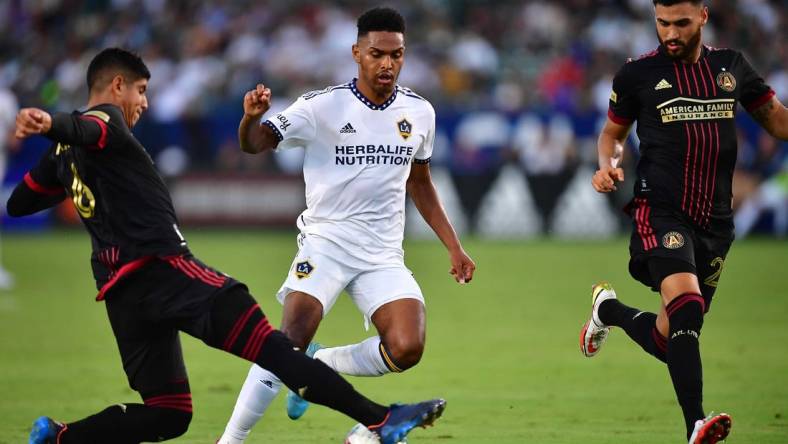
639	325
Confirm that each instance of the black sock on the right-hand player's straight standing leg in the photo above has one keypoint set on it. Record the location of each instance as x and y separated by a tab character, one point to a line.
686	319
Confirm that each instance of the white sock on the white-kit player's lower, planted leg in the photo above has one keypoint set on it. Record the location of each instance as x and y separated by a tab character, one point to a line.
259	390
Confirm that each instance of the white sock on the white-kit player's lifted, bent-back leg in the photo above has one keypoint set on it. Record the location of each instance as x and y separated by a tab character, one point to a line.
362	359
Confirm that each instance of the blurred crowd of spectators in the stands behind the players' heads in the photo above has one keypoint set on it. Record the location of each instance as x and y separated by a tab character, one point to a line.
463	54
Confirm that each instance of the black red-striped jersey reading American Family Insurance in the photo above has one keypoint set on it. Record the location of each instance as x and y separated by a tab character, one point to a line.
685	122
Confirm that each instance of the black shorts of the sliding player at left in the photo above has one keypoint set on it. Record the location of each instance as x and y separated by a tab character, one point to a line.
147	309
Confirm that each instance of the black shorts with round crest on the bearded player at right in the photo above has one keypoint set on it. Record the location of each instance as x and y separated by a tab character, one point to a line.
663	242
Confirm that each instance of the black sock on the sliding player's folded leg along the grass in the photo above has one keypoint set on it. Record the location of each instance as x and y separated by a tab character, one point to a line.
127	424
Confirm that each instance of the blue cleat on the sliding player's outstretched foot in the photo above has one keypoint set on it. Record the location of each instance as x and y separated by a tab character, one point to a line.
401	419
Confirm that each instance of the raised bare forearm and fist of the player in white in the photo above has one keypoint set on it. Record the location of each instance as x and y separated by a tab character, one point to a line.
252	136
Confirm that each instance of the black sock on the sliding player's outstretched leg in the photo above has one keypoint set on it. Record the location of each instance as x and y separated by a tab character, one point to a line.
316	382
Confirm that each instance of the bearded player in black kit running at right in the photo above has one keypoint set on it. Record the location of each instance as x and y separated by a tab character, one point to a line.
683	96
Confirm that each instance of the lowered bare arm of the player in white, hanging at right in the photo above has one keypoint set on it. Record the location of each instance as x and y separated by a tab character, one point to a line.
425	197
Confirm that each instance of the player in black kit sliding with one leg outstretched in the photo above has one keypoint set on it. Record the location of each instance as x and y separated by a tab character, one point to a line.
151	284
